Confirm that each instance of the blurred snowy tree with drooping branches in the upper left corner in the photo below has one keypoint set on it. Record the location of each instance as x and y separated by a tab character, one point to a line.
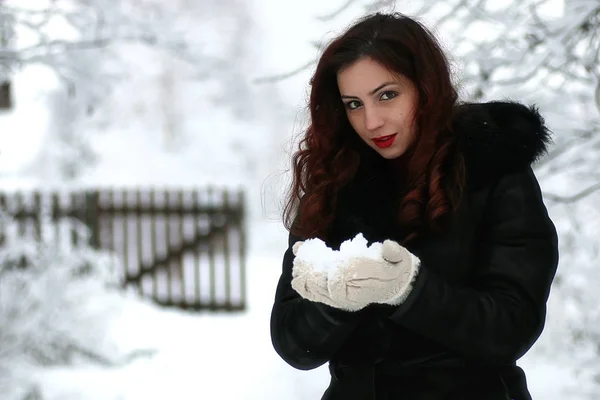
75	40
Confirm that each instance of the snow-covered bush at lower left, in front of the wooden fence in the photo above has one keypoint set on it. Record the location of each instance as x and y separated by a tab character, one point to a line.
57	300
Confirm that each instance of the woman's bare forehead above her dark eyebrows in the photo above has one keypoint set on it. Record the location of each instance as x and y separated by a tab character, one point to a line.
363	76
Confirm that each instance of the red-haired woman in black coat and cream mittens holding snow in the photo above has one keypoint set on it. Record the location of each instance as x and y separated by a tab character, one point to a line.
469	250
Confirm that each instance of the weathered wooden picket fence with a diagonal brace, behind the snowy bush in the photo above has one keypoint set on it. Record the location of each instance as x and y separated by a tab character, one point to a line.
182	248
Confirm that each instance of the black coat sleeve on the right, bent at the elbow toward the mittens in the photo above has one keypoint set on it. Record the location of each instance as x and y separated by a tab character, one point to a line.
498	316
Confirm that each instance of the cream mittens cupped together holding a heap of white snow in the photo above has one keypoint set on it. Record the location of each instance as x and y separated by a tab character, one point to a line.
355	276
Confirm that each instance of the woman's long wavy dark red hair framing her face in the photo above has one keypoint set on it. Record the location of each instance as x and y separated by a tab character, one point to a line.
330	151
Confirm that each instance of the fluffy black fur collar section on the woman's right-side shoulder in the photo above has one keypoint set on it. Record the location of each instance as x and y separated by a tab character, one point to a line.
499	137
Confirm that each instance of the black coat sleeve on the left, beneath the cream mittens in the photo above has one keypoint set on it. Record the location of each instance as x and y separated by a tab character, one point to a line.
306	334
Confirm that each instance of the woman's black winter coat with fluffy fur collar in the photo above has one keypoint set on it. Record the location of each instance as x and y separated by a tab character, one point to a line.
479	302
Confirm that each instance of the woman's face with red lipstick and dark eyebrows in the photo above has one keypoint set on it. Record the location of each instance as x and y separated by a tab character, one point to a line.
380	106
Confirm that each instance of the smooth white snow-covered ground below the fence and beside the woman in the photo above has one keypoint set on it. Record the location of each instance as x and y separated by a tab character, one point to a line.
211	356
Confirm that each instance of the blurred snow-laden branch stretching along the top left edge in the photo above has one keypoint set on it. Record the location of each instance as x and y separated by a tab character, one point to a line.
62	27
